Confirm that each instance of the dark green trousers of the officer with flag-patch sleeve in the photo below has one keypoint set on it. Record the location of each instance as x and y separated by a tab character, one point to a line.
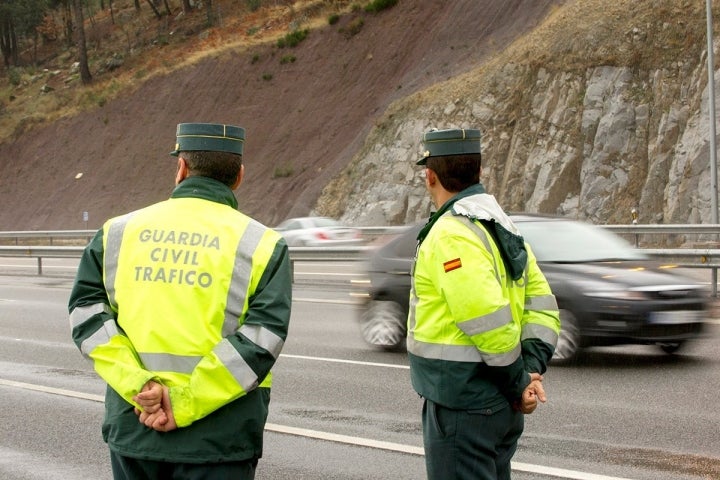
469	444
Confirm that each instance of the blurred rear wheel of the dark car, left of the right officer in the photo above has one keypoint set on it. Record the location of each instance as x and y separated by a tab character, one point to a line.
383	324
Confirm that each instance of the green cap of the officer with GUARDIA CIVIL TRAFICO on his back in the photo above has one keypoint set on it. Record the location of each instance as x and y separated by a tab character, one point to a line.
211	137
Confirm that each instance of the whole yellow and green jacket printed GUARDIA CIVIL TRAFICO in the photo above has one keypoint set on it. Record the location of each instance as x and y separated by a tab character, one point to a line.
221	393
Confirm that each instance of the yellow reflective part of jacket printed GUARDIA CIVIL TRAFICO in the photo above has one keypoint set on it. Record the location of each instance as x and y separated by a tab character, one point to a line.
179	275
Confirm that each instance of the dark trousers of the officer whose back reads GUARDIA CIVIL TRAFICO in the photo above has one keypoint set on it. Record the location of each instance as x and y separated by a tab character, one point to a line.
126	468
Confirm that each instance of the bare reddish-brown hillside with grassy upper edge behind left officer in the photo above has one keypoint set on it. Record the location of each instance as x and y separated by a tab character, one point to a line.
306	109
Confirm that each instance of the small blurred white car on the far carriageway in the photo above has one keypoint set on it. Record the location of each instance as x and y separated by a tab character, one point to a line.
318	232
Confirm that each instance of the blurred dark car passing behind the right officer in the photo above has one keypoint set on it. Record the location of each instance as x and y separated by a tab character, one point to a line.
608	292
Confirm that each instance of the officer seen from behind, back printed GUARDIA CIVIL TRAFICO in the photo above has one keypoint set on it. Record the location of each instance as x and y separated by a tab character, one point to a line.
183	307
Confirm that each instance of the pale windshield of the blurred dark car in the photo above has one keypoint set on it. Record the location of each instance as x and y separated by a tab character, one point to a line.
571	241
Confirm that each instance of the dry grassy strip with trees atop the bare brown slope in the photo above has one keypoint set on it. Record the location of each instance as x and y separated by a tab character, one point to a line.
127	46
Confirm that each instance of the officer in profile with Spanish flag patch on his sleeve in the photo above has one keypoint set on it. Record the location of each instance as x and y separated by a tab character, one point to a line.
482	324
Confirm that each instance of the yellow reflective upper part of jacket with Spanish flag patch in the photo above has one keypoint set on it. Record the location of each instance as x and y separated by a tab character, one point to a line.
464	306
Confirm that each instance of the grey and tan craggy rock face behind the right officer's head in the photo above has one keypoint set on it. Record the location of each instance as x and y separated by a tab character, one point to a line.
588	134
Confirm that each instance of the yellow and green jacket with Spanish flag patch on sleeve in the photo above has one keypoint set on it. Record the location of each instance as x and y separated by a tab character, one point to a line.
482	315
